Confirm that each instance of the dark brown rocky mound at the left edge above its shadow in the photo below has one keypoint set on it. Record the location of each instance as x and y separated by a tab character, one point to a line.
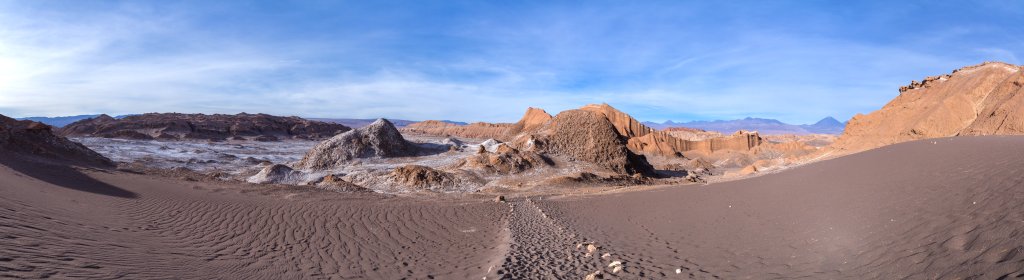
37	142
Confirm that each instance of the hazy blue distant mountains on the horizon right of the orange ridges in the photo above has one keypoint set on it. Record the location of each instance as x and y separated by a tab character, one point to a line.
828	126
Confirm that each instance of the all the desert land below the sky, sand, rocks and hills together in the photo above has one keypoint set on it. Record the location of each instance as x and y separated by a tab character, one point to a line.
929	187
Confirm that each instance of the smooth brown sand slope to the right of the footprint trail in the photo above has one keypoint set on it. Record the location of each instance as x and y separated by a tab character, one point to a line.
953	210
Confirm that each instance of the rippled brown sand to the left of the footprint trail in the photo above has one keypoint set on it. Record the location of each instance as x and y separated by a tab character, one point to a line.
66	225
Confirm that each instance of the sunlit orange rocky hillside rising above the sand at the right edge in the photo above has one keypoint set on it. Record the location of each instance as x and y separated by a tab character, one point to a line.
983	100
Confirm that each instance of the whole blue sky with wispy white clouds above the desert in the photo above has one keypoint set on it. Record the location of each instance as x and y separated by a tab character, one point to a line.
478	61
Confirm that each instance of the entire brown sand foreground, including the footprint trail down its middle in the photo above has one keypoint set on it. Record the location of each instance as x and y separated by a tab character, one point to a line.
950	210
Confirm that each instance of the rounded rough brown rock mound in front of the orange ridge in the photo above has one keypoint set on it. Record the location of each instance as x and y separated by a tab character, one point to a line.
591	138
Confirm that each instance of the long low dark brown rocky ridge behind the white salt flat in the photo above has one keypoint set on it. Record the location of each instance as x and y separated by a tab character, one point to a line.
200	127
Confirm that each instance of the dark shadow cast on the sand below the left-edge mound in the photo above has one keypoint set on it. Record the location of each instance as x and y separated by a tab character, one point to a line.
67	177
